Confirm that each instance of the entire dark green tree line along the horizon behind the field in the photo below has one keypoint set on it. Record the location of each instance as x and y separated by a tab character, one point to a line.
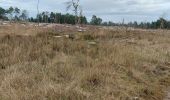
16	14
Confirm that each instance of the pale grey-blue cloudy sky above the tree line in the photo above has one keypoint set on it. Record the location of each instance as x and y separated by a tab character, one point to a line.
108	10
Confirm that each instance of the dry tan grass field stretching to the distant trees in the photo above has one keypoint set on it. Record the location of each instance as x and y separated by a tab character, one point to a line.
60	63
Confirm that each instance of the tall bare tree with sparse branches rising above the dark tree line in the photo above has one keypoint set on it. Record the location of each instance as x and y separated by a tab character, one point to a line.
75	4
